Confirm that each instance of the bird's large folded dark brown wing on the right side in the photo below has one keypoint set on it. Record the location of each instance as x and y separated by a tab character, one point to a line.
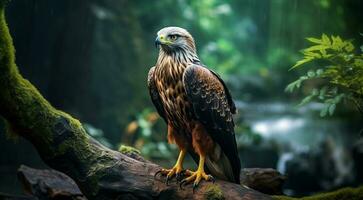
213	107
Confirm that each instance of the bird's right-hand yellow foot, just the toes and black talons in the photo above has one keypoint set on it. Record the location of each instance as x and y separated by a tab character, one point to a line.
196	176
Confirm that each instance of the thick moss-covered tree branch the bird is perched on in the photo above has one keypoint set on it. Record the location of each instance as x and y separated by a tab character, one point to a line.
63	144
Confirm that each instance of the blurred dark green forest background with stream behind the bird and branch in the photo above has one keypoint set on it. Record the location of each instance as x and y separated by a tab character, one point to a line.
91	59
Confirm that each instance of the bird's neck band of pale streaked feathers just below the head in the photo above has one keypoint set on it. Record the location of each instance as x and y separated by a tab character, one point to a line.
180	57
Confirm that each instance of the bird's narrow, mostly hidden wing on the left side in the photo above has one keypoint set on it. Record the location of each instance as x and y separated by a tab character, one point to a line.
154	94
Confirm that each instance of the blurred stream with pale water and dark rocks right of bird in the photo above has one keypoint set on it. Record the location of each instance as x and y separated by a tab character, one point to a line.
314	152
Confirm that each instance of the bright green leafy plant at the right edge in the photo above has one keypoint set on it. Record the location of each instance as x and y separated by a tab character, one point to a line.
339	70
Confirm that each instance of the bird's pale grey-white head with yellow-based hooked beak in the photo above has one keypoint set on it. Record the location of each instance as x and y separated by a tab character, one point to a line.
174	39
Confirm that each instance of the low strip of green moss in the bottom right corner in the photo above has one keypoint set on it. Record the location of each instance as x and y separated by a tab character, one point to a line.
341	194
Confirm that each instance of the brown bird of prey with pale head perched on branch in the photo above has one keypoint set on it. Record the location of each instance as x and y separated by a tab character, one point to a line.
197	107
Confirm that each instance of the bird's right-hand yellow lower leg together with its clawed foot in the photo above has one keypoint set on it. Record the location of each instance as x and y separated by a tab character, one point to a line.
198	175
